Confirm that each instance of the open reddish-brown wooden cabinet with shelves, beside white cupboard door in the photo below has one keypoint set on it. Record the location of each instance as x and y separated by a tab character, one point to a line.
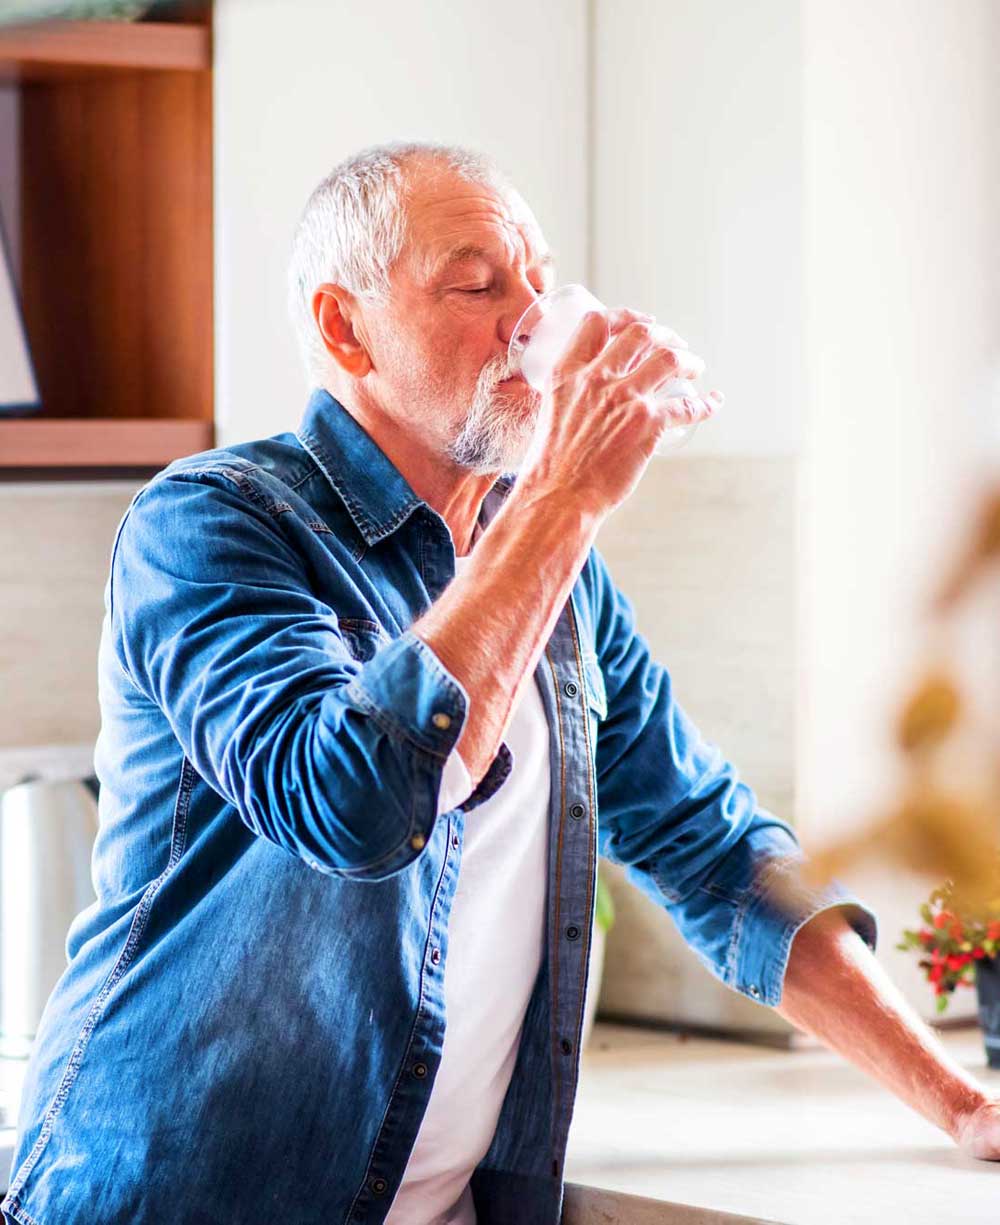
116	160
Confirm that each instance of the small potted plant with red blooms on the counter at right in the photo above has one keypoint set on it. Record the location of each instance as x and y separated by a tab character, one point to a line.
959	945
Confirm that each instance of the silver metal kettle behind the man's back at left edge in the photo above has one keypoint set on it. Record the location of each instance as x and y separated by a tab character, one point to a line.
47	835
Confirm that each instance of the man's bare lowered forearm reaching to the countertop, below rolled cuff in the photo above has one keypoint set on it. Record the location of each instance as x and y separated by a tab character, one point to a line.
836	990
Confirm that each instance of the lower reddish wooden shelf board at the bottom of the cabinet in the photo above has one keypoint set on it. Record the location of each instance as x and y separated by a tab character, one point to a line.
81	443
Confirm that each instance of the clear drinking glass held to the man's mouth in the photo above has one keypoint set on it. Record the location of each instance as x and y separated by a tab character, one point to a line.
545	330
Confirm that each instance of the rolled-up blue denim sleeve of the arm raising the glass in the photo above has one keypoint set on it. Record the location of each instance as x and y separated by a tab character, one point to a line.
339	763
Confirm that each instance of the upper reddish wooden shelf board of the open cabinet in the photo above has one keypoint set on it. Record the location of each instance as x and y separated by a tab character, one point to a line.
56	50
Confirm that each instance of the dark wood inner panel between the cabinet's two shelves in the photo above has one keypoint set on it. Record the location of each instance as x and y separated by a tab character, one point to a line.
117	243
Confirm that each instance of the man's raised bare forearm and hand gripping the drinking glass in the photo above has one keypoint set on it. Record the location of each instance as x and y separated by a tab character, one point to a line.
596	434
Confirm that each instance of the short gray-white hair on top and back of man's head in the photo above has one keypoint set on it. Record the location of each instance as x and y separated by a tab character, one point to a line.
354	228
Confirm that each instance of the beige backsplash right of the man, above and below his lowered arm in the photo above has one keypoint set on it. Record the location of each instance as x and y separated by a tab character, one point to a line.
705	548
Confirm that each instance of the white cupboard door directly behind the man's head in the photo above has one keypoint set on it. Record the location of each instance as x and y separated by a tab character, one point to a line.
300	86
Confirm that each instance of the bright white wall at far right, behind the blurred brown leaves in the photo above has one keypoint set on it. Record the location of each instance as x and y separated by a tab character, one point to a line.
903	220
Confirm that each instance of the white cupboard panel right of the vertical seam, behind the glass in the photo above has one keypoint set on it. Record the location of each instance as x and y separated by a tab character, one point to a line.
698	198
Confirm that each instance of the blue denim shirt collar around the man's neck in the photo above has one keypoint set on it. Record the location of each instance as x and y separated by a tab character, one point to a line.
376	493
